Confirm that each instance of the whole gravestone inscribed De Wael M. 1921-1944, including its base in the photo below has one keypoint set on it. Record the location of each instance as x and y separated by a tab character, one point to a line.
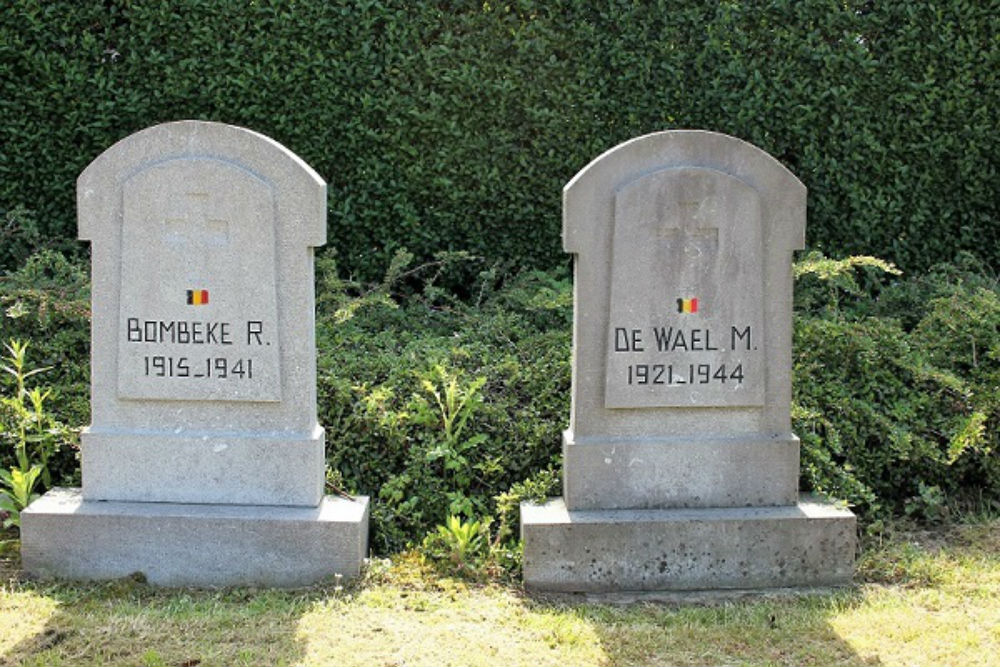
680	468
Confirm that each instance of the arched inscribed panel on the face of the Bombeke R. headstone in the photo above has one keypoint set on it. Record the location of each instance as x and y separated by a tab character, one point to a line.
198	310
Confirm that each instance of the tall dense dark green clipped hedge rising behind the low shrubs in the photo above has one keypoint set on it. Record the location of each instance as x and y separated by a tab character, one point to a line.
445	125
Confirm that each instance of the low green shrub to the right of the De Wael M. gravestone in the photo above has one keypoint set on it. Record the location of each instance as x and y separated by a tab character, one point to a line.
896	397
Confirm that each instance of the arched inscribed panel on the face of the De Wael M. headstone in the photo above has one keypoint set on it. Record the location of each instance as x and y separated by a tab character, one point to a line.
686	326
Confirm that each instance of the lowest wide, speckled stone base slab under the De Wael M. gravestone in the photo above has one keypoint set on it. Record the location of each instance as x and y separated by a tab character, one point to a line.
808	544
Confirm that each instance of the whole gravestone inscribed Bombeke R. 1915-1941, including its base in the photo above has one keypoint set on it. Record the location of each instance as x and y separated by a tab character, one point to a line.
204	460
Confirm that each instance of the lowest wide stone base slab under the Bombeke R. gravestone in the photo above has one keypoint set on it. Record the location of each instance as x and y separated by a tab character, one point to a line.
65	536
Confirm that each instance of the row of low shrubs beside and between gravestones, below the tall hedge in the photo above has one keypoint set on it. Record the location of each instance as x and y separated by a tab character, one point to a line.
437	405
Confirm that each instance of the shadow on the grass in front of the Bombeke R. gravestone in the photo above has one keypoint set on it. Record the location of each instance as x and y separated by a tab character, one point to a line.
126	622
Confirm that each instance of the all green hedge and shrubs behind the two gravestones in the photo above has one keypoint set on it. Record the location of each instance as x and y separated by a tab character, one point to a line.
446	131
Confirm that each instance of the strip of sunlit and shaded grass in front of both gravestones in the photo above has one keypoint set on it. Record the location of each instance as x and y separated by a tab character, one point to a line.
924	597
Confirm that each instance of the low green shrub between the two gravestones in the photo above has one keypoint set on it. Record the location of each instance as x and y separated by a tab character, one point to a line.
434	406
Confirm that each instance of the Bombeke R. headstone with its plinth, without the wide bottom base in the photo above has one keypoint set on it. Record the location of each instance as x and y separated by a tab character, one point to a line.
198	206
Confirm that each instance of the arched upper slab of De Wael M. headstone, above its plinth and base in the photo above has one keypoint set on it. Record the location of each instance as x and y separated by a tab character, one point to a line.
702	215
